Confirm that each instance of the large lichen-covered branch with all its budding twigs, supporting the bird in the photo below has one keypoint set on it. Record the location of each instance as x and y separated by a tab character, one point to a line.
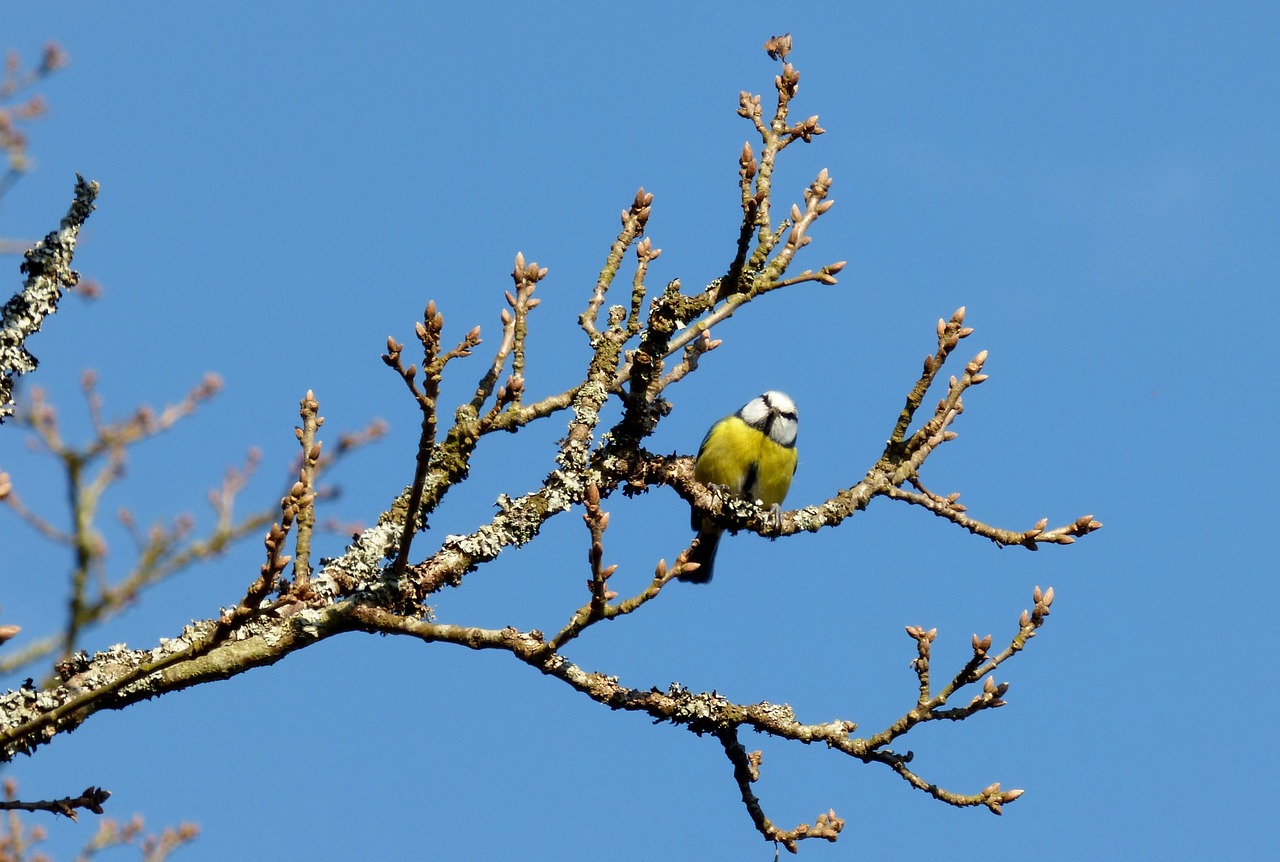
360	591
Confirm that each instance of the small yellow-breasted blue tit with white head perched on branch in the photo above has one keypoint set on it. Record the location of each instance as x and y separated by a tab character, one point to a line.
751	455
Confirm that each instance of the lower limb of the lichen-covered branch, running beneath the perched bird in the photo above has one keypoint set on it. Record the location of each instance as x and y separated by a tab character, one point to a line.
120	677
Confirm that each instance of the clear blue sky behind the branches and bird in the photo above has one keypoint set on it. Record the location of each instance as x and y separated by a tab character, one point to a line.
1096	184
